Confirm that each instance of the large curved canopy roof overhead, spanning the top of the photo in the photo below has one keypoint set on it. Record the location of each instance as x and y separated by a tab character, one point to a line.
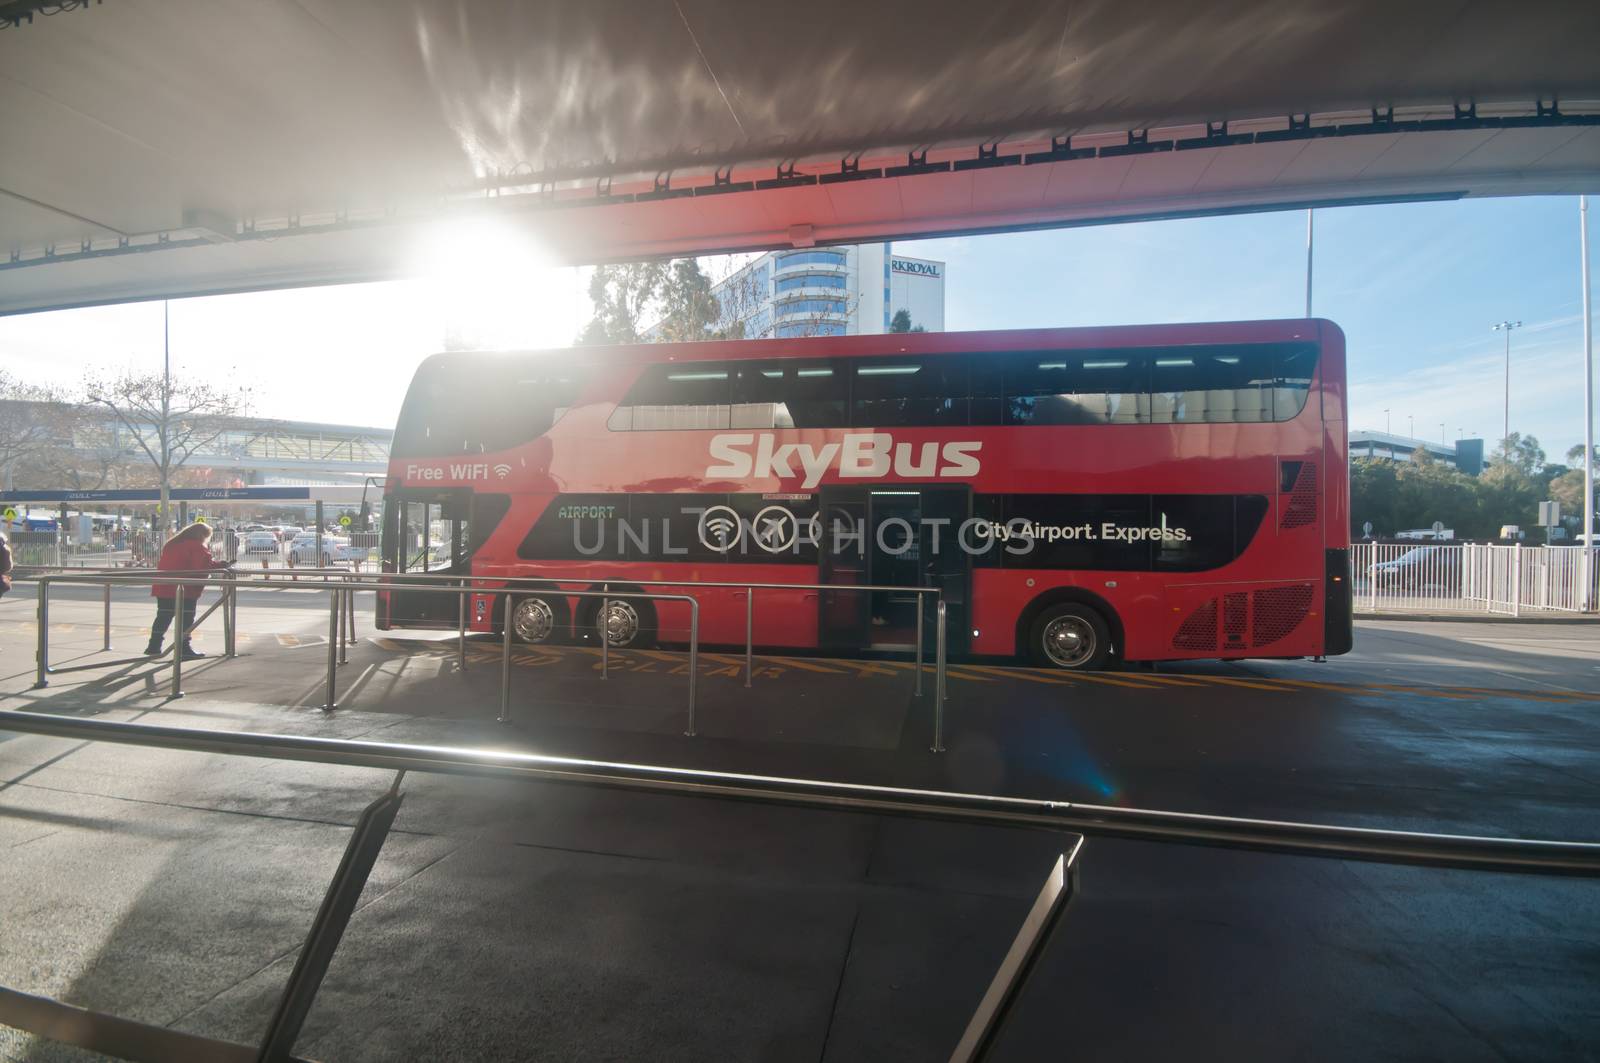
159	148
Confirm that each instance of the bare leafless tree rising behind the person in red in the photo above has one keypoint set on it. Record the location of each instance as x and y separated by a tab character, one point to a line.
167	422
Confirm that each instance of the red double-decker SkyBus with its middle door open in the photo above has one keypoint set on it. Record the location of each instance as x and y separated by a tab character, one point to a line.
1076	495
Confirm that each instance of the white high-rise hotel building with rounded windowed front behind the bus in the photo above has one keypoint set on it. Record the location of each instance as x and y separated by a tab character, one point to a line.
833	292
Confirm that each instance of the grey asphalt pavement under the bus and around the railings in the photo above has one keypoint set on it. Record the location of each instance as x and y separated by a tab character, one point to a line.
553	923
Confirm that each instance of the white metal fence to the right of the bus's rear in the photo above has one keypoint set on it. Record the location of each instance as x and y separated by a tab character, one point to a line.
1474	579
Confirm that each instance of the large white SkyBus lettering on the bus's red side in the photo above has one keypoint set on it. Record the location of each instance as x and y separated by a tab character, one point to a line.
857	457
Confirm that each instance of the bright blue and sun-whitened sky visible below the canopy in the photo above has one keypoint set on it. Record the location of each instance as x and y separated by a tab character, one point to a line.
1415	287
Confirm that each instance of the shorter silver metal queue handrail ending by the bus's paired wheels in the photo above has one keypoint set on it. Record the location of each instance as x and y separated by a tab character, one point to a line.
338	609
